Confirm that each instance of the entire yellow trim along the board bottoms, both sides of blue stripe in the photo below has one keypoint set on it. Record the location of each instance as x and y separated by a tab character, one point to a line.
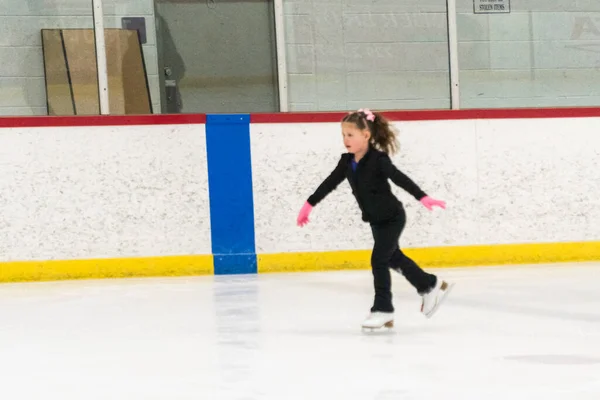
452	256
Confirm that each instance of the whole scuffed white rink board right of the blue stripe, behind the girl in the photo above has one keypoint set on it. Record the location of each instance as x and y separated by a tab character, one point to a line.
505	181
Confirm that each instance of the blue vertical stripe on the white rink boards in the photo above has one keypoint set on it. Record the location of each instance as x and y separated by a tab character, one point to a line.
230	193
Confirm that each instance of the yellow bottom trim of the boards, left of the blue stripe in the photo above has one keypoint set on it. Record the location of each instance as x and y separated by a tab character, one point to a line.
22	271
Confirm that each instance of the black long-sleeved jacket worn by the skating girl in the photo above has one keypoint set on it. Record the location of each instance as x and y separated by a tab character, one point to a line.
370	185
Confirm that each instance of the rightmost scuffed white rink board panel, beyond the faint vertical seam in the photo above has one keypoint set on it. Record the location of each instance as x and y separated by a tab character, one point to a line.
539	180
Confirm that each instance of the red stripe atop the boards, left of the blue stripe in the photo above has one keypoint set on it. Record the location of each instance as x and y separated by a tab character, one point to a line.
102	120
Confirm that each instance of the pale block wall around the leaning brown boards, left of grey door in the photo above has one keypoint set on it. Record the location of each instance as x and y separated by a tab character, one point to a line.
22	87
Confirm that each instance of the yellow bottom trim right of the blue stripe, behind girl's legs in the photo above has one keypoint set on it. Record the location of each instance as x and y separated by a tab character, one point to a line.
451	256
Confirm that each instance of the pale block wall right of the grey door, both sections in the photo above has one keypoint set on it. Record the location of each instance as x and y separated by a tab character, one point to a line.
390	54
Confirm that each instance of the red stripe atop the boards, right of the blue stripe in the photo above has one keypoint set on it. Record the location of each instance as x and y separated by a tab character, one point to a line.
432	115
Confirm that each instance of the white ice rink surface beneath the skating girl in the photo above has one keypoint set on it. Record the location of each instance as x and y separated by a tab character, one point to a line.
528	332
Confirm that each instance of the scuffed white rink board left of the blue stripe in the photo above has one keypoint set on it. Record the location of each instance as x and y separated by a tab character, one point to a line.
94	192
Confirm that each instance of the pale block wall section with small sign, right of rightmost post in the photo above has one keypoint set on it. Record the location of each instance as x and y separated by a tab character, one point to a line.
542	54
